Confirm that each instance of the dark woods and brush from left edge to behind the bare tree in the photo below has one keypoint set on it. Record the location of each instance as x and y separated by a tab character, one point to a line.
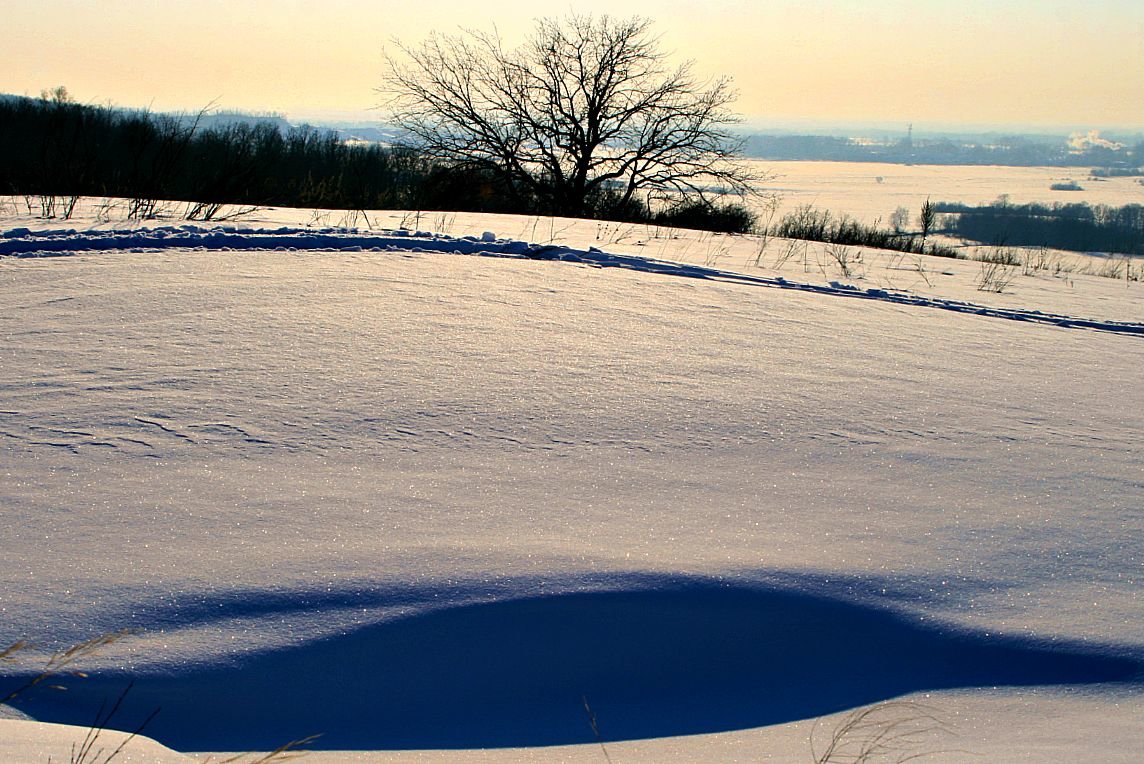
52	147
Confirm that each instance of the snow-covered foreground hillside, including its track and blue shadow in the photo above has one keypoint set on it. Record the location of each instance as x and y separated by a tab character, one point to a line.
467	491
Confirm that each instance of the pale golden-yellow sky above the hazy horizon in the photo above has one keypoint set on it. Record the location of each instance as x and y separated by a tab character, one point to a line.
886	62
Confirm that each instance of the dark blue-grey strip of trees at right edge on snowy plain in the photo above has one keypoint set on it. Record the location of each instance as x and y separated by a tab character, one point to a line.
1074	227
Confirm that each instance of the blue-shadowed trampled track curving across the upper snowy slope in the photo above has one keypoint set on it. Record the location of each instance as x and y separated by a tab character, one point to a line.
25	243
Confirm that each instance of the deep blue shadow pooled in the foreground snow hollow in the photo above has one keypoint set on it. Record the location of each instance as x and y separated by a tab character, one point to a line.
686	659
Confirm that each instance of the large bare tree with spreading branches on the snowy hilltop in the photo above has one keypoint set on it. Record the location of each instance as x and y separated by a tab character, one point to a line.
587	107
